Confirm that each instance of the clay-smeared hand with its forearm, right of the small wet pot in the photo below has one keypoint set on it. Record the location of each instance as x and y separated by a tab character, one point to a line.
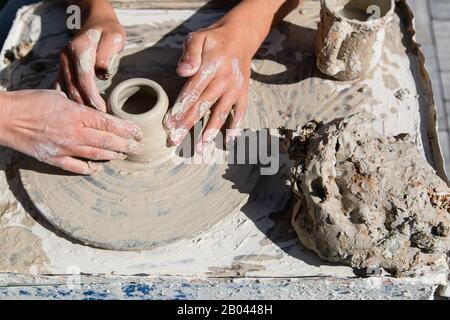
217	60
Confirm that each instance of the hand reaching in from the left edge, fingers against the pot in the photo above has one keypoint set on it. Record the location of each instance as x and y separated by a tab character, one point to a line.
46	125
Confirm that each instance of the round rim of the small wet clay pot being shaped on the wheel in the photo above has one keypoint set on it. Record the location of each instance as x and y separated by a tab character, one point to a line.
117	108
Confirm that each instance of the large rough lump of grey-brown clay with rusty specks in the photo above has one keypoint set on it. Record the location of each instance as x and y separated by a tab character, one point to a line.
367	200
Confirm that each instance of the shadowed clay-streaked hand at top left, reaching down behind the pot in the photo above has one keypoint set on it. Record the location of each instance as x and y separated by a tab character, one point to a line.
90	53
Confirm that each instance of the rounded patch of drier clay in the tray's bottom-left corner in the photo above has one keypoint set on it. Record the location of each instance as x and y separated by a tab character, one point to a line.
21	251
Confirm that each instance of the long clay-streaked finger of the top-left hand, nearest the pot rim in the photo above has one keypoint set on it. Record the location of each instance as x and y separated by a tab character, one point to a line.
84	52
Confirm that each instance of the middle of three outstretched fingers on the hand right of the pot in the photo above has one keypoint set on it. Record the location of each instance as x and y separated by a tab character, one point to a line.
215	122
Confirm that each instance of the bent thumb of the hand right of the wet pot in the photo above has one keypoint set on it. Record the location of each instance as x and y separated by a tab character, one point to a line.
191	59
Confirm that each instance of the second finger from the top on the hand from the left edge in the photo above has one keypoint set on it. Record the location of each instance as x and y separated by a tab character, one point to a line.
109	141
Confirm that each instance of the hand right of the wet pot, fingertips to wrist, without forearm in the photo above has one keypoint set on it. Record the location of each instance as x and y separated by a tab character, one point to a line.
218	63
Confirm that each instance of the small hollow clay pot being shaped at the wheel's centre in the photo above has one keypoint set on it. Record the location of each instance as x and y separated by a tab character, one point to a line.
143	102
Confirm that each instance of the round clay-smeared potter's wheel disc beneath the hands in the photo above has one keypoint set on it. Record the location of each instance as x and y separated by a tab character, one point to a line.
138	205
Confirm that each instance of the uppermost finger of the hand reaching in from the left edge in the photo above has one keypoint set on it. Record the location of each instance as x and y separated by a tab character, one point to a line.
105	122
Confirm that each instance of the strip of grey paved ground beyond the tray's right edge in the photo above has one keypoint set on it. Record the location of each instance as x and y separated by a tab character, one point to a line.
432	25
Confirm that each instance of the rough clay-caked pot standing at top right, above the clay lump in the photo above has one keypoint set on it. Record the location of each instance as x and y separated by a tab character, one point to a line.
350	36
